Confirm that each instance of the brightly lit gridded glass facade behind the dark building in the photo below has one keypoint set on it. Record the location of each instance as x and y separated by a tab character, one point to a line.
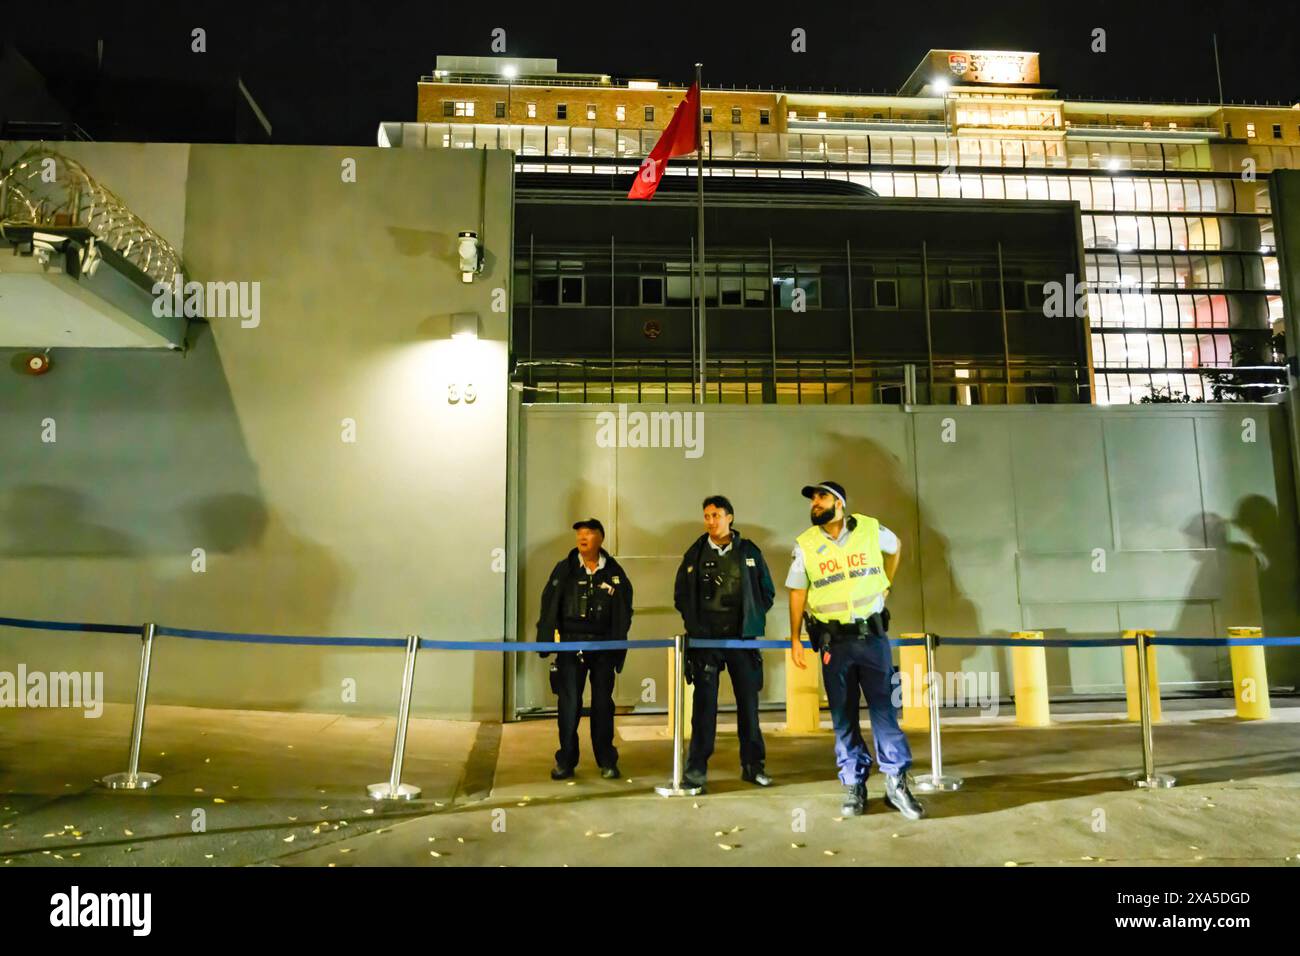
1182	280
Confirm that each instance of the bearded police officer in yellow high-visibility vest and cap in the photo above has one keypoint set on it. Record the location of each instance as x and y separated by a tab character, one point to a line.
842	578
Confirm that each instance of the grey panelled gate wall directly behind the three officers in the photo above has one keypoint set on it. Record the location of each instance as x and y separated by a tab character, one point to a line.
999	525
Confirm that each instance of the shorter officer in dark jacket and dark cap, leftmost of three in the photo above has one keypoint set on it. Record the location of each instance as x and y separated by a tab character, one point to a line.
588	598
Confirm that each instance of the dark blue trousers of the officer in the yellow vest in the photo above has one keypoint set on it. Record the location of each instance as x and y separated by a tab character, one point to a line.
864	664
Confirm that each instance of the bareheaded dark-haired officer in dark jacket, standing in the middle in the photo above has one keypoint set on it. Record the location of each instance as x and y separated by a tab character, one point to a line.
725	591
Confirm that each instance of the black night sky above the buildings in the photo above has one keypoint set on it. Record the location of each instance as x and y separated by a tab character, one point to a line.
331	72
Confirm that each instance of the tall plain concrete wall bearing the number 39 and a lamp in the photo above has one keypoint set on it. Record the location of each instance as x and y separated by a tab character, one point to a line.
239	445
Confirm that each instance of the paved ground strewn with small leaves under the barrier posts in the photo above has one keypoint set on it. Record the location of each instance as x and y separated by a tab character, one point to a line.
291	790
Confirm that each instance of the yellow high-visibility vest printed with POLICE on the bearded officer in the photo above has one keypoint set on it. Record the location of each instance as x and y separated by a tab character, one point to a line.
846	581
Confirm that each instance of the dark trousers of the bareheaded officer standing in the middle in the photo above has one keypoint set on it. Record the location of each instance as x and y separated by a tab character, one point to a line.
747	677
